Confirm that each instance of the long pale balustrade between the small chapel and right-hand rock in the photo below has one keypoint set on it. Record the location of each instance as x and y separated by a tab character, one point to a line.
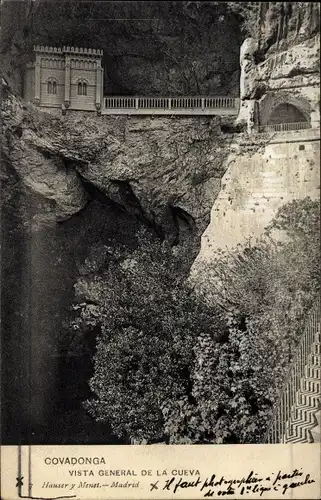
184	105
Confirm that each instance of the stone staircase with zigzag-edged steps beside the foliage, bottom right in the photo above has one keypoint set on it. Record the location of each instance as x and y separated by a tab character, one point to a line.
297	415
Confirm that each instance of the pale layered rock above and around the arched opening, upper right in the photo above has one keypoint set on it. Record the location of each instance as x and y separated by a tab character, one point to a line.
280	62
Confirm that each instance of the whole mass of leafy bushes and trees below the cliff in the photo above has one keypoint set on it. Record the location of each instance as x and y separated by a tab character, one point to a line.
175	366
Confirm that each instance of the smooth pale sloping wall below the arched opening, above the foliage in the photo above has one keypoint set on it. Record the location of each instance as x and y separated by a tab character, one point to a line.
259	180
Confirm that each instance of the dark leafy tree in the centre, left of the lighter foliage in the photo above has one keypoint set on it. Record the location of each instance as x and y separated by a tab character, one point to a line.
149	321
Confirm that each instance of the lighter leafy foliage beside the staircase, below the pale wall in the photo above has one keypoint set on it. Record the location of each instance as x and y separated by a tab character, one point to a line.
268	291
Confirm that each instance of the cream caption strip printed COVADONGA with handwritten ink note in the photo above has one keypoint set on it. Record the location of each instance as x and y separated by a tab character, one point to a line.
164	472
